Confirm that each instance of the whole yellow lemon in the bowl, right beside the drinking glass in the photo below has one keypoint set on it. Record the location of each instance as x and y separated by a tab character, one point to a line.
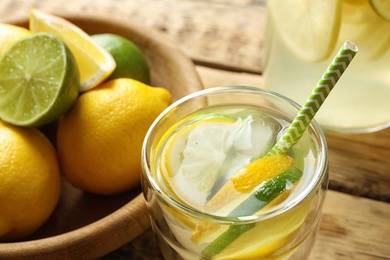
99	140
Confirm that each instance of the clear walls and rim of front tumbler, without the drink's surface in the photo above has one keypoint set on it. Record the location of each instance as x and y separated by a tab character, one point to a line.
285	231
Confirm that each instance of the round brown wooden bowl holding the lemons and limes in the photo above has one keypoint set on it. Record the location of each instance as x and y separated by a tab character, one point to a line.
86	226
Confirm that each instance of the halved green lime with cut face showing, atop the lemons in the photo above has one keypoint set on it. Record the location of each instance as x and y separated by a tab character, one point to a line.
39	80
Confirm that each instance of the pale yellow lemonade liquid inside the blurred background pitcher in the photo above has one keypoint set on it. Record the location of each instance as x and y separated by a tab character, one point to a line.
360	101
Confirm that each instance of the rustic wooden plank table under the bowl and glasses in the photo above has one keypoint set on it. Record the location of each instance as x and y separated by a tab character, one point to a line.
224	38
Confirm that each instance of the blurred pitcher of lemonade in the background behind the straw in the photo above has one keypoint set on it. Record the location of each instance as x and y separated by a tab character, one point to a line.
299	44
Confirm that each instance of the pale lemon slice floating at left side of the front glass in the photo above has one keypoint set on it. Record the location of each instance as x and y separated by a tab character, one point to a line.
184	162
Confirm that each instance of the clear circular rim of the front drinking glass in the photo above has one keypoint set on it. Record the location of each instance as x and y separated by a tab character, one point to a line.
321	166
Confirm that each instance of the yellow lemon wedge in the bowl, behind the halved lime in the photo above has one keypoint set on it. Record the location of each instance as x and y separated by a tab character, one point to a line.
95	63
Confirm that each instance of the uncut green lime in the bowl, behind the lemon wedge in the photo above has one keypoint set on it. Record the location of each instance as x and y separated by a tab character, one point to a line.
130	62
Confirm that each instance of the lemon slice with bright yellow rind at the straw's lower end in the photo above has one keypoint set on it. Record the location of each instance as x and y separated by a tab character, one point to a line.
237	197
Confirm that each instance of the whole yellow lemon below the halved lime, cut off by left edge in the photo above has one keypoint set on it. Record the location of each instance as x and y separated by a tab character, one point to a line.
30	183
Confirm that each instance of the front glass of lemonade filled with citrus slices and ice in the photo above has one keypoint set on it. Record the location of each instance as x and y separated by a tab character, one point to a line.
193	151
